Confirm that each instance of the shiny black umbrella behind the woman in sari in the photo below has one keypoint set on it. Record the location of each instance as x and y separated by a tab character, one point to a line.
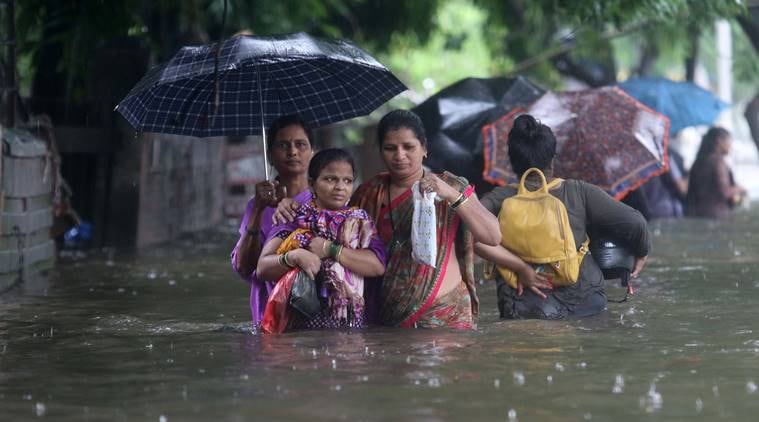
453	119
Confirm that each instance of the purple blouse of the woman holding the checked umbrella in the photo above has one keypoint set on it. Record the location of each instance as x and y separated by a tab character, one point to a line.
260	289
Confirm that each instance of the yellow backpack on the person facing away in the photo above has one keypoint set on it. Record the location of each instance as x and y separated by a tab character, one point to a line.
535	227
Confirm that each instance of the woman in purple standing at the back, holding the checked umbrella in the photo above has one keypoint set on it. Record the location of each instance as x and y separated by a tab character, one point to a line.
290	152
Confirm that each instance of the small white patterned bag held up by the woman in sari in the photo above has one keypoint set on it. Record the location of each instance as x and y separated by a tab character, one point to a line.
424	227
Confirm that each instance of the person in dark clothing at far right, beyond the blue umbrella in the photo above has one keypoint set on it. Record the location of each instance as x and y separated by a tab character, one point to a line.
712	191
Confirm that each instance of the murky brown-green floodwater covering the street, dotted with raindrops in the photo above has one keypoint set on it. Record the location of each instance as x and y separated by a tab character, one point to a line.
164	336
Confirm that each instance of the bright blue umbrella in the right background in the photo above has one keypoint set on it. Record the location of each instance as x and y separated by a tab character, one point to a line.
684	103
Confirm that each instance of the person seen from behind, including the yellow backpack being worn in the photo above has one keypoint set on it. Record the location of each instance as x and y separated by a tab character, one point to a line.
543	268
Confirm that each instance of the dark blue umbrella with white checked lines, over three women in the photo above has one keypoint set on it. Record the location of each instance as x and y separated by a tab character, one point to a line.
256	80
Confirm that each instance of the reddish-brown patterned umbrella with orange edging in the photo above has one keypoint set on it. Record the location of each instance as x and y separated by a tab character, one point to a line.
603	136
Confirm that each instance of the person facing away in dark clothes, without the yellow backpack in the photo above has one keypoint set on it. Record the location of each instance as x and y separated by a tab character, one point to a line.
532	144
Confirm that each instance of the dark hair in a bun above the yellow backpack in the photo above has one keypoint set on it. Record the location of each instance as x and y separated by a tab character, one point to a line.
531	144
